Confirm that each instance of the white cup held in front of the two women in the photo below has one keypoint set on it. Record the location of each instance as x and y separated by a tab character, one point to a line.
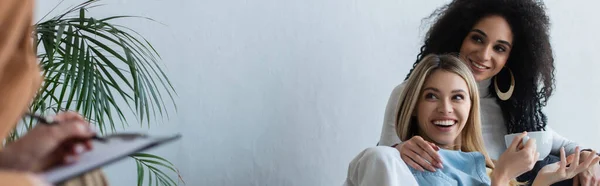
543	141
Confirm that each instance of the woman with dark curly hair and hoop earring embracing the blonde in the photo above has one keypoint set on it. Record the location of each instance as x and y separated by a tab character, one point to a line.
506	44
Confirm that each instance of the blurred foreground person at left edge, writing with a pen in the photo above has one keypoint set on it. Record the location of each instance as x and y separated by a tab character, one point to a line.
20	79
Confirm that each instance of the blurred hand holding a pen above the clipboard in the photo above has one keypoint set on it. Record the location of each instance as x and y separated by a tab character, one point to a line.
60	141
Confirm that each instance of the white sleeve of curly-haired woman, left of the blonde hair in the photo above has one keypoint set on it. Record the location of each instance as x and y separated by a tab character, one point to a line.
388	131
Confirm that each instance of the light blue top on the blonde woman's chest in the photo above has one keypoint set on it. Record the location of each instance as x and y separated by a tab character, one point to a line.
460	168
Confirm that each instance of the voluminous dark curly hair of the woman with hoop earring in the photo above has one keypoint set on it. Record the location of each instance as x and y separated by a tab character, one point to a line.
530	59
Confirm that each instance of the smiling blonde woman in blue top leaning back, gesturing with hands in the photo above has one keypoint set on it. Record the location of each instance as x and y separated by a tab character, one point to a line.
441	105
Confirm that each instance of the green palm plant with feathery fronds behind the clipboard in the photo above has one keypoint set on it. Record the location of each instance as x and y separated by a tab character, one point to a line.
103	70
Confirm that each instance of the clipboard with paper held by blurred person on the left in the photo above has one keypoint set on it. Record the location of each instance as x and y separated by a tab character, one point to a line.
115	148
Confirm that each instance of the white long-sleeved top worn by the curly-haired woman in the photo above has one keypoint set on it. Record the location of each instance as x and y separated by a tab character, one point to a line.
492	122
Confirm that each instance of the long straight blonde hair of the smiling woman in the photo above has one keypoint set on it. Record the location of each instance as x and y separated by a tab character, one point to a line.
470	138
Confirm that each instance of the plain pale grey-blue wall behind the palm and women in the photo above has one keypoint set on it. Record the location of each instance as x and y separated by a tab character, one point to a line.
287	92
